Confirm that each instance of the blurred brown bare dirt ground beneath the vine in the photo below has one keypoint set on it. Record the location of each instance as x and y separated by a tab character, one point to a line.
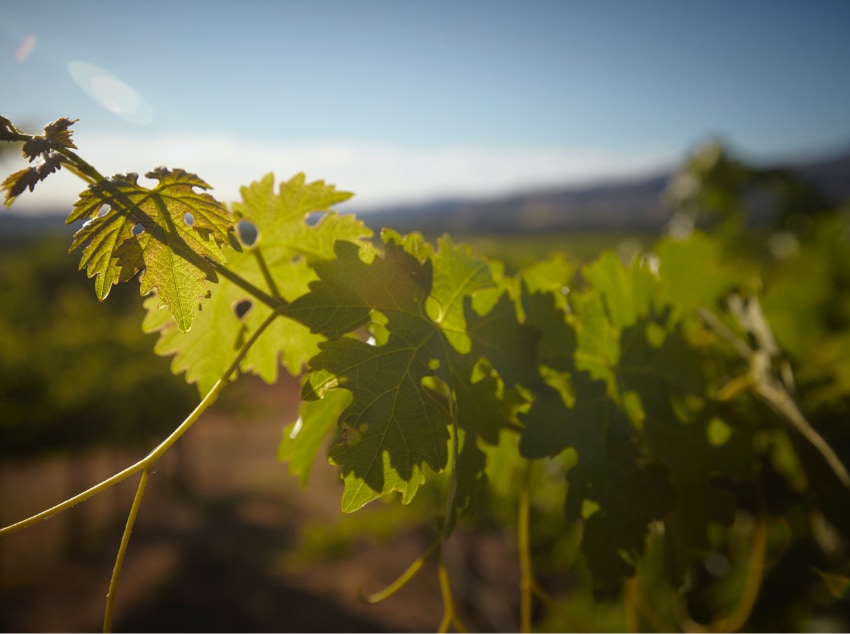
219	544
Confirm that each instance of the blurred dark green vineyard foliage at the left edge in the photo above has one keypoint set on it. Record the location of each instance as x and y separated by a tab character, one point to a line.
75	373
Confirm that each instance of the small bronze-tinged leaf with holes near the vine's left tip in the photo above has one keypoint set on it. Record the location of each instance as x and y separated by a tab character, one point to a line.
171	232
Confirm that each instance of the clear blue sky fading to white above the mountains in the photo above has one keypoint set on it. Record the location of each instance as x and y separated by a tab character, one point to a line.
413	100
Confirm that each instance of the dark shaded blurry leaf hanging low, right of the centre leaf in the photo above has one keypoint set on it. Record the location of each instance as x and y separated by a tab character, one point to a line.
610	475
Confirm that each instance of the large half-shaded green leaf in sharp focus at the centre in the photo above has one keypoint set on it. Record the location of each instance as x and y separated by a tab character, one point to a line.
400	411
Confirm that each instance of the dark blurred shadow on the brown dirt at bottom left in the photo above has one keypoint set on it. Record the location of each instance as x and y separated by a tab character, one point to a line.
219	585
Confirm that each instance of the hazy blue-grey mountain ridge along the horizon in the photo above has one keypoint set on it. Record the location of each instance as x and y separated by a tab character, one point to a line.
615	204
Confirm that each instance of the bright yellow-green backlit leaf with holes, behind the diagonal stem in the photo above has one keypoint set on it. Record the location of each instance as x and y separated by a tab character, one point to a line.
231	314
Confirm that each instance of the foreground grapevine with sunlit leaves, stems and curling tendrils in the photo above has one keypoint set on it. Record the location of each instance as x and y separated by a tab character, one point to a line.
659	389
